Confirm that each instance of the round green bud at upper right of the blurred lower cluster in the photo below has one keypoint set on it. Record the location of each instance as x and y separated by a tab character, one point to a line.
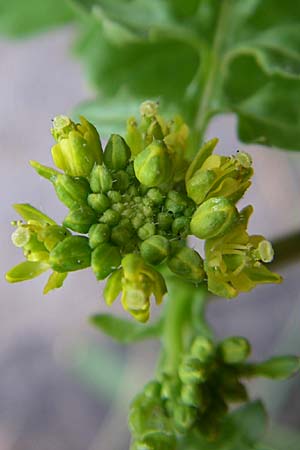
234	350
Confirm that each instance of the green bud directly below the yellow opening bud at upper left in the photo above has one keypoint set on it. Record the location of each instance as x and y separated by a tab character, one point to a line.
72	191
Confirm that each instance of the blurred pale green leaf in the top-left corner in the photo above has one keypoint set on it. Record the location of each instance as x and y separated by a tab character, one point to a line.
19	18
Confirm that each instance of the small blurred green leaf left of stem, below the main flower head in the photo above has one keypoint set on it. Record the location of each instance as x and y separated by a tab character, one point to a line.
125	331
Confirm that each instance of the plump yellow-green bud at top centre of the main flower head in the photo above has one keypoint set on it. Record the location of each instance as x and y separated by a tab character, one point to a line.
153	165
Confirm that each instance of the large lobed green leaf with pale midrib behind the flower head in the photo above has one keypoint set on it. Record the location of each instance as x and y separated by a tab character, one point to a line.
234	56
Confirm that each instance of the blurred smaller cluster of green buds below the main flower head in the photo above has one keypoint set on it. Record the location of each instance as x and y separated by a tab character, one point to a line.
208	382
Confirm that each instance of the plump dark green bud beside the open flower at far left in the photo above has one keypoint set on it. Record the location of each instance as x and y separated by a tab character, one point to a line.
73	253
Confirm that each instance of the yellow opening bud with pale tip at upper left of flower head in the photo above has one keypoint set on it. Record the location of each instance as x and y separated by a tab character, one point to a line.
78	147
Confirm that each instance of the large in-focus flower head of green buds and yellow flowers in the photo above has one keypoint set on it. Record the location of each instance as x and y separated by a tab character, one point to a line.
136	202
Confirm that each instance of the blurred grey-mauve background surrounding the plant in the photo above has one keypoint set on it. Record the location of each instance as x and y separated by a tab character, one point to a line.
63	385
